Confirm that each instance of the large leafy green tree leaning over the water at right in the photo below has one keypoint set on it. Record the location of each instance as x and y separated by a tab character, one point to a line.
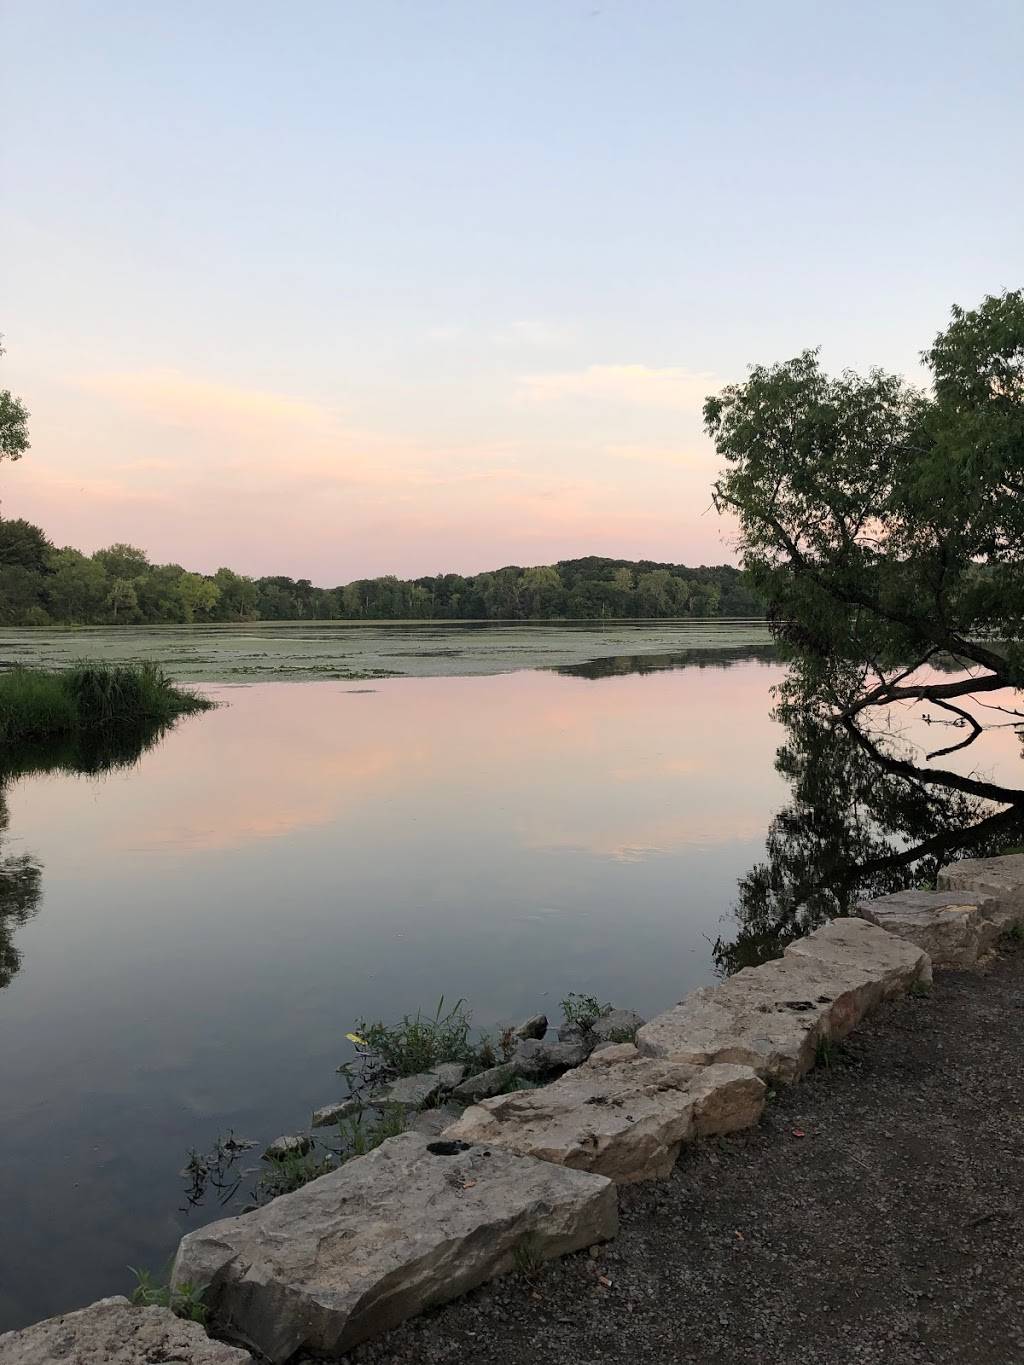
883	525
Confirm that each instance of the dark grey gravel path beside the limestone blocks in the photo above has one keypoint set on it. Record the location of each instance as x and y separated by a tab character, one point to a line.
877	1216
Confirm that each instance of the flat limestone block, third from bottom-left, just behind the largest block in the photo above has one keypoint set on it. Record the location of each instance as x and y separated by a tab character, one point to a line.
625	1117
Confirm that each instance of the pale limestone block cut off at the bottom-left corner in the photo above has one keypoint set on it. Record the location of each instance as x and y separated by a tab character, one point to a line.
117	1333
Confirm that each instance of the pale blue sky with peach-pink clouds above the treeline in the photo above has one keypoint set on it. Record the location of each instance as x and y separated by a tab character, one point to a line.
342	289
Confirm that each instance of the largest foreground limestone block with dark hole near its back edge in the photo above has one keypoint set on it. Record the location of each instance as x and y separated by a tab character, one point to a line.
412	1225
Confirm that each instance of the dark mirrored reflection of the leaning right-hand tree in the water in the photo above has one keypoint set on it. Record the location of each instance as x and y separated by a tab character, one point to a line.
865	820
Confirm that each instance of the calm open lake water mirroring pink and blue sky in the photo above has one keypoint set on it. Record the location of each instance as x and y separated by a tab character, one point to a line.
214	921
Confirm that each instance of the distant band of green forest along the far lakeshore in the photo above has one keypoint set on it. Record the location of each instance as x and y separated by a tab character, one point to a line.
42	585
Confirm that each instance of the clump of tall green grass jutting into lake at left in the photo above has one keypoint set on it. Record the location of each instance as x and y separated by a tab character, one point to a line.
89	700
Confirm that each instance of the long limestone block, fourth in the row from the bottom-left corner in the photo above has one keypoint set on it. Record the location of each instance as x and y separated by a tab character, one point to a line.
772	1018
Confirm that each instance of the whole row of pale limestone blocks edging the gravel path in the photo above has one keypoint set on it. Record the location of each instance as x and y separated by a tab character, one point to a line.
525	1177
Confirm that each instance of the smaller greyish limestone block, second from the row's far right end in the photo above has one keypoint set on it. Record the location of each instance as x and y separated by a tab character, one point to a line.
950	926
